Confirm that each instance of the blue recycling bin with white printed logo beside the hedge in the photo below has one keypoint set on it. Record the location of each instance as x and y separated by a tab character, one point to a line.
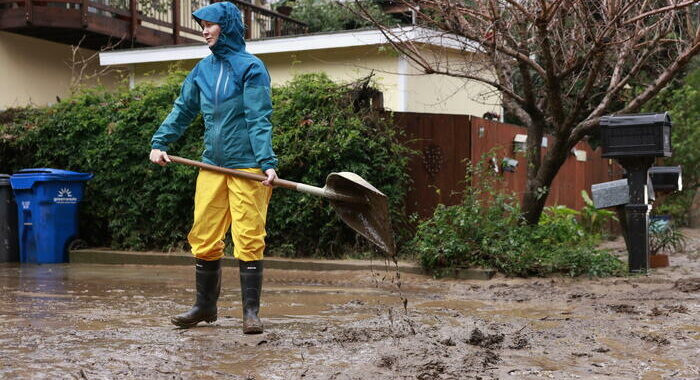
47	210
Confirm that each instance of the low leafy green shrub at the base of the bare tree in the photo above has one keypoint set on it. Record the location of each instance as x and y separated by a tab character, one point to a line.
486	230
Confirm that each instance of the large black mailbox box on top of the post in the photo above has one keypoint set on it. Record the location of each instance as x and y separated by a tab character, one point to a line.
639	135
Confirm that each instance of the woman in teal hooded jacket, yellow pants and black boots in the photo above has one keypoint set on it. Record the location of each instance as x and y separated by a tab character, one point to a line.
231	88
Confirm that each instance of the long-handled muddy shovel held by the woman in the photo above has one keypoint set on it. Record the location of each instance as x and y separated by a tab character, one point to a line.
359	204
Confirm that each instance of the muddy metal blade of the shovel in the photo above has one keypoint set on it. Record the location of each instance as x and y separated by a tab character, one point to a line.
367	214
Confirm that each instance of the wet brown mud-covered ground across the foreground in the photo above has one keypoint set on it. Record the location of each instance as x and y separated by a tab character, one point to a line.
107	321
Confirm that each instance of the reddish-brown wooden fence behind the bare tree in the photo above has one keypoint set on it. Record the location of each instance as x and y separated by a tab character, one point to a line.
447	142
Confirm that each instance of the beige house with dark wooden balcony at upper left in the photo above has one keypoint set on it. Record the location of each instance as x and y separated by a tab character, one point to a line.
47	47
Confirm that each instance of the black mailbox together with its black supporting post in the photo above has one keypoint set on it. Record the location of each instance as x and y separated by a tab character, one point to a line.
635	141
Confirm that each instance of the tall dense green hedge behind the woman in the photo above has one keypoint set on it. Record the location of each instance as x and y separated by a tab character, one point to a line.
320	127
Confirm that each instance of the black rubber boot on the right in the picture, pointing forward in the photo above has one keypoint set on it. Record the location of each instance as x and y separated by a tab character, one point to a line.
251	287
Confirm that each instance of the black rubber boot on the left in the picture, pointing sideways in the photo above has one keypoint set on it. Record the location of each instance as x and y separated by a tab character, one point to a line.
208	278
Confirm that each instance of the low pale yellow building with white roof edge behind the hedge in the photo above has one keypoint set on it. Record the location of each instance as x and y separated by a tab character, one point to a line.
344	56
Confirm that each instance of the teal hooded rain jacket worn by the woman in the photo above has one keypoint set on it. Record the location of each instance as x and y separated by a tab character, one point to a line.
231	88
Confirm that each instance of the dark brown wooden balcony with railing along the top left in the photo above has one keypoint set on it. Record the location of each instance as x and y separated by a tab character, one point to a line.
142	22
